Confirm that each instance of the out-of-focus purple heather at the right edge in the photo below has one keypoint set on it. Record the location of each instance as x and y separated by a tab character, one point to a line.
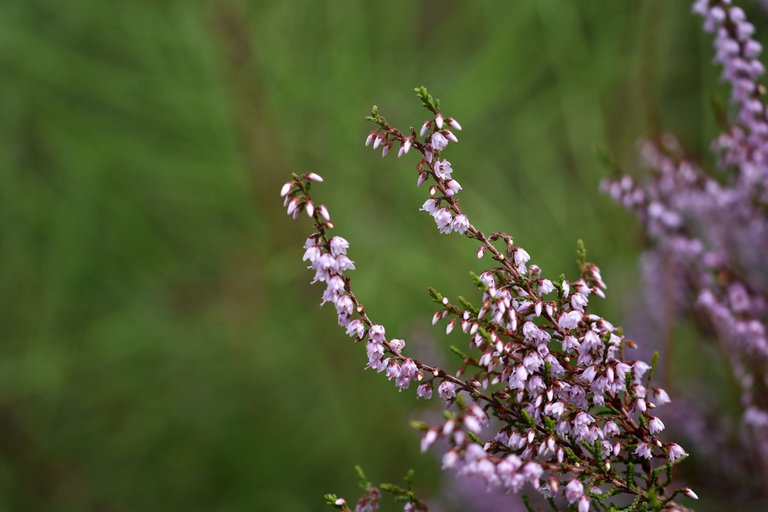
707	231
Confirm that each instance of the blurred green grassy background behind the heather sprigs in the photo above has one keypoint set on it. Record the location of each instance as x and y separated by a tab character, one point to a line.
162	348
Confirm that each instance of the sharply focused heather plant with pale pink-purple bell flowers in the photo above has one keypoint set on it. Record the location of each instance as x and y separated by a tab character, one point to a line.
546	394
